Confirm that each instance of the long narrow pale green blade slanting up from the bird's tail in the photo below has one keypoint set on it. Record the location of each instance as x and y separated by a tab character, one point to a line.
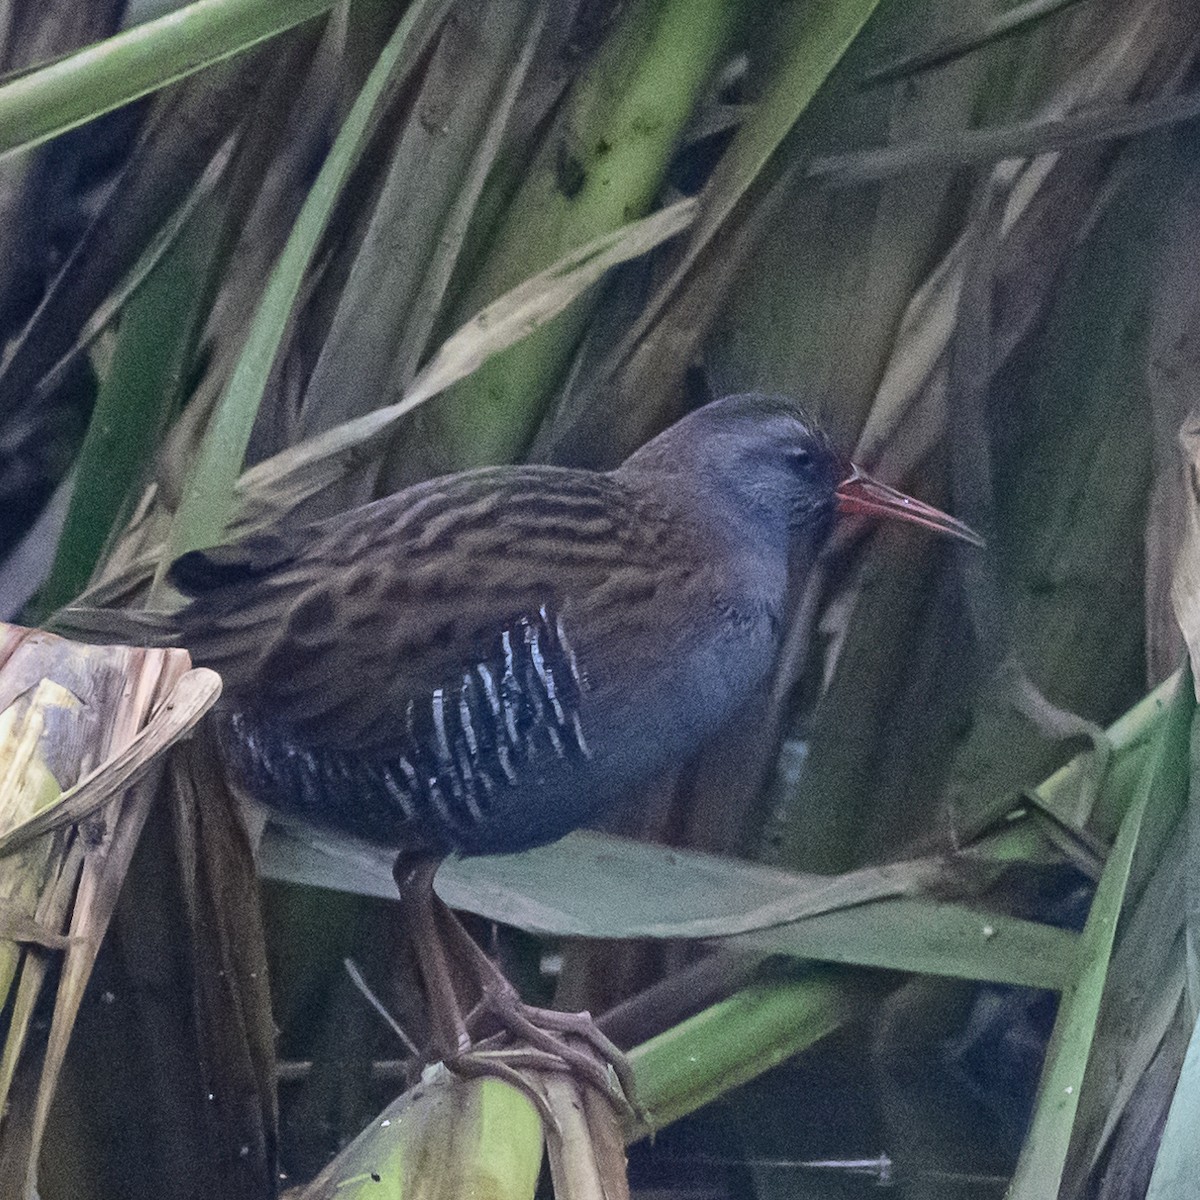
208	497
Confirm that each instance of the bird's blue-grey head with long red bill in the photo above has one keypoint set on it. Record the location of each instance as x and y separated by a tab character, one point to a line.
773	467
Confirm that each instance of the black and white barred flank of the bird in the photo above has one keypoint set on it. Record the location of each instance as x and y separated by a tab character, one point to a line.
453	776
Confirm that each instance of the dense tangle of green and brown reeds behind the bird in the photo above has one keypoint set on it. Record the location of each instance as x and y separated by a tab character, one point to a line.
279	257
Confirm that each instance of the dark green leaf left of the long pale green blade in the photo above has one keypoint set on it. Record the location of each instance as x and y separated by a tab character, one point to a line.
136	403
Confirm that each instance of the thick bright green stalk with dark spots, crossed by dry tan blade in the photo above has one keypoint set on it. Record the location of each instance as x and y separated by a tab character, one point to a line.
599	167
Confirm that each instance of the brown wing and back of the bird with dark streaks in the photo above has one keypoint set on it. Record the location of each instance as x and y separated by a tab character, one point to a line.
385	604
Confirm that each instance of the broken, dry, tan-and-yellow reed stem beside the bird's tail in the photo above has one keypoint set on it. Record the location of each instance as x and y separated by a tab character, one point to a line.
71	715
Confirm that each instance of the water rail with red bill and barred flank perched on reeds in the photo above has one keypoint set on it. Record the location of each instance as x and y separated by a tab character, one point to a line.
485	662
